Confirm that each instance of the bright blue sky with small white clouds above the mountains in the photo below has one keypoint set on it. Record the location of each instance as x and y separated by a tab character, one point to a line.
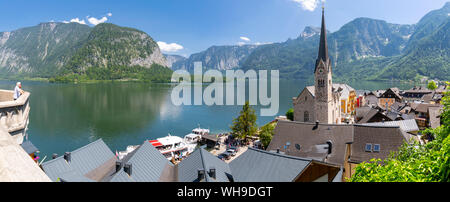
184	27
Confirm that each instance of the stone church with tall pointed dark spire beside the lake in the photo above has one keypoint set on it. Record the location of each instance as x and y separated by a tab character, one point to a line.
324	102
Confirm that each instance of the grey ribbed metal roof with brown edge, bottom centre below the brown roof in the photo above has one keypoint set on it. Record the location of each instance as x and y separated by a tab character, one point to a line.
256	165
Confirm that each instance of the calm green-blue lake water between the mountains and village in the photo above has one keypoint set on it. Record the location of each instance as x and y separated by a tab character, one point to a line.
65	117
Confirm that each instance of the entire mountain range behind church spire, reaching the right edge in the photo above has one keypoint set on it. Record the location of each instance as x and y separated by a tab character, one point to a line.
366	49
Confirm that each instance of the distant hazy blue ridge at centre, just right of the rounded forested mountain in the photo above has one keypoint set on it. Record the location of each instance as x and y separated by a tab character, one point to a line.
217	57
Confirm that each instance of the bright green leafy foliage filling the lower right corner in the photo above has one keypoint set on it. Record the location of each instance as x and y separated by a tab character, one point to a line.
414	162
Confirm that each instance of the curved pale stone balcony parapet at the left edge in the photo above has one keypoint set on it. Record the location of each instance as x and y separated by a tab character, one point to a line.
14	114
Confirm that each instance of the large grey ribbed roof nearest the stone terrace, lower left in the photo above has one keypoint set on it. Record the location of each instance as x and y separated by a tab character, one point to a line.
90	163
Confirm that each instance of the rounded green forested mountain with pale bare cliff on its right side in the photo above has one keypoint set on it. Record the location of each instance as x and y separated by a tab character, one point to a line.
109	45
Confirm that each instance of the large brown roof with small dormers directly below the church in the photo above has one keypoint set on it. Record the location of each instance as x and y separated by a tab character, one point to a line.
329	143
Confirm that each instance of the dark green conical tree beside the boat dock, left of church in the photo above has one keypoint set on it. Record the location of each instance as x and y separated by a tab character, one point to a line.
244	125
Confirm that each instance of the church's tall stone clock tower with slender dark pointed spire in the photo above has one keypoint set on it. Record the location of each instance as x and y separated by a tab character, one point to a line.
324	110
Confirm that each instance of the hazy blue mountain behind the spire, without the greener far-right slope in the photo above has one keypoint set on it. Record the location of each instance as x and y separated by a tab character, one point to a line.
361	38
